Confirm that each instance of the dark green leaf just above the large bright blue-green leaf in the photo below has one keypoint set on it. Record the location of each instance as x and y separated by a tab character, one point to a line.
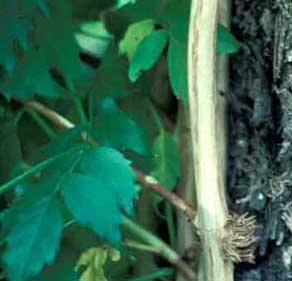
113	128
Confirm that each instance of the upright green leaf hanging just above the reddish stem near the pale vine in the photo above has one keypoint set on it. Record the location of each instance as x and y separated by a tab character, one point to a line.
166	160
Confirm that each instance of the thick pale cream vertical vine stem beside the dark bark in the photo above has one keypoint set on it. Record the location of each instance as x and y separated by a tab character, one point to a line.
207	129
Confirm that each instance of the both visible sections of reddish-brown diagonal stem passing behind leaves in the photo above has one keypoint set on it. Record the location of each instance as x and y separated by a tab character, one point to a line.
145	180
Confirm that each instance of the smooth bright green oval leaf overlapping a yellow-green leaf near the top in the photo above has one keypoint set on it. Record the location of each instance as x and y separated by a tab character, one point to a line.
147	53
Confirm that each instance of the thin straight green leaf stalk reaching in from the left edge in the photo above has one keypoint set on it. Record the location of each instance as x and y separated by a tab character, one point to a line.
35	169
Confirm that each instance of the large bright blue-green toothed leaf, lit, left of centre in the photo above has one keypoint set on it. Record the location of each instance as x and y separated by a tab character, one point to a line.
95	193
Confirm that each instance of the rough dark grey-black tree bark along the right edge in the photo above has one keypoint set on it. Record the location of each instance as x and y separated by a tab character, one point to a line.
260	128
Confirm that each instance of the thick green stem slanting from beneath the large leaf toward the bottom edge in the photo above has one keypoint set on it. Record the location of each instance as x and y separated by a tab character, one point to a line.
162	248
